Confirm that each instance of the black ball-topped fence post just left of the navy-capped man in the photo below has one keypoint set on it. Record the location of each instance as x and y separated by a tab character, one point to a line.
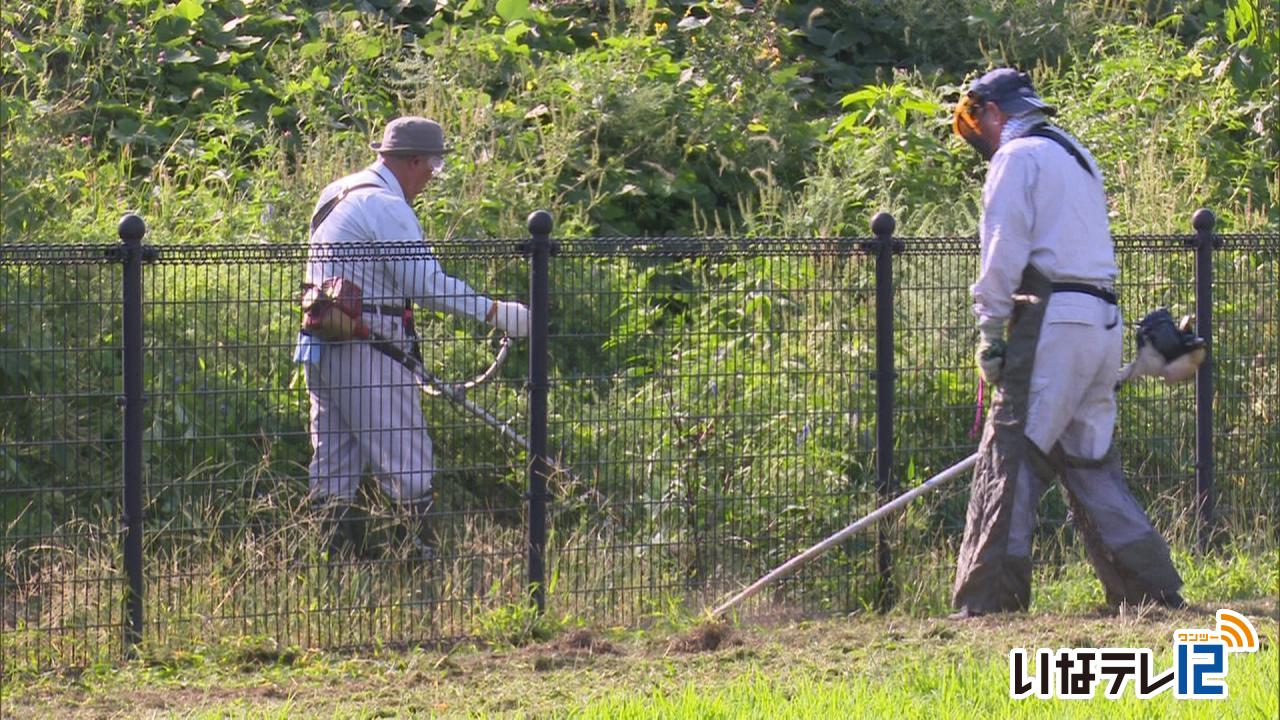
885	247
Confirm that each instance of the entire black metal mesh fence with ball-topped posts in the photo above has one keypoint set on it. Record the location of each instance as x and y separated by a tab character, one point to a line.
697	412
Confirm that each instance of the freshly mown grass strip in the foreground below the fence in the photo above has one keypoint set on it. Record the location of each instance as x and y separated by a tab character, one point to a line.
772	664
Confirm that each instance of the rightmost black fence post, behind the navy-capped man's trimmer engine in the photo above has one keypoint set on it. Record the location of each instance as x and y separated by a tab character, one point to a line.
1205	243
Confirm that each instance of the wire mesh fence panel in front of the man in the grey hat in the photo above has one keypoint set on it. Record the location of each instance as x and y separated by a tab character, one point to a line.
239	544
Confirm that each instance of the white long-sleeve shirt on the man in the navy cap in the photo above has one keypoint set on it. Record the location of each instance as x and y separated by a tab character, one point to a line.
1040	207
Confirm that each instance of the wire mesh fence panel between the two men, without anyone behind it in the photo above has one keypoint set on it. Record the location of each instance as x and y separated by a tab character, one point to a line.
714	411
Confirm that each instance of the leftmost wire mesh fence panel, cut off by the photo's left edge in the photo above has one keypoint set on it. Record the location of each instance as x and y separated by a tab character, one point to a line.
61	587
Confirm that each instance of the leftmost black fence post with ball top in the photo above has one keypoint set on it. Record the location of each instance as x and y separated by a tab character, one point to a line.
131	231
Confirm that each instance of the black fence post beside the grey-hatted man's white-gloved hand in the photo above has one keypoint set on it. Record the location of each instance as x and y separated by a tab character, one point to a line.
541	249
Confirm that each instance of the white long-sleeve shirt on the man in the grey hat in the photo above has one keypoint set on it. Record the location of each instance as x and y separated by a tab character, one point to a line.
374	240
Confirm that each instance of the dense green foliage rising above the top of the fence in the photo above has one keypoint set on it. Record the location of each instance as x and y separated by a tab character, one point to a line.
220	121
